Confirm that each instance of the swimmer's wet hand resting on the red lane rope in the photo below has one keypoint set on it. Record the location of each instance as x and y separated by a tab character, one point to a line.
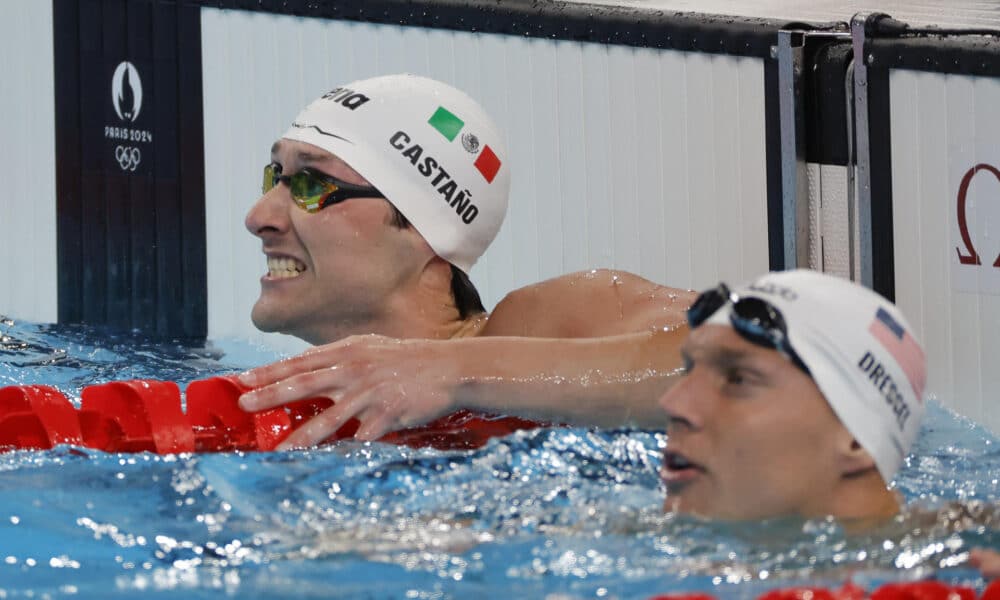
385	383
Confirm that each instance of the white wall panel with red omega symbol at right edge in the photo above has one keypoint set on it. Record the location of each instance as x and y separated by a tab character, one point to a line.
942	126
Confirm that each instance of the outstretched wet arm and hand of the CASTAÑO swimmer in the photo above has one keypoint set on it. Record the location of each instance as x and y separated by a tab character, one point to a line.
390	384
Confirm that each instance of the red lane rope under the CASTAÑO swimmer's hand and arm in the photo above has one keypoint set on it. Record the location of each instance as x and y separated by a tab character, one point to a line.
146	416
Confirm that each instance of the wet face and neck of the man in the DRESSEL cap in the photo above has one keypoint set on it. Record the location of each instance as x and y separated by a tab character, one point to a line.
749	433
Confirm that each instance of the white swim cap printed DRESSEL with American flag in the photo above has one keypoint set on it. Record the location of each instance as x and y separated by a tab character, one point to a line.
861	353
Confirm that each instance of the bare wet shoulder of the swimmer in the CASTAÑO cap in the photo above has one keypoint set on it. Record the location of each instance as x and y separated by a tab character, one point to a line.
596	303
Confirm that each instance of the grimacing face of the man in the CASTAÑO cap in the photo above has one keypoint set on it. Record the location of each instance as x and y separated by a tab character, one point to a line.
338	265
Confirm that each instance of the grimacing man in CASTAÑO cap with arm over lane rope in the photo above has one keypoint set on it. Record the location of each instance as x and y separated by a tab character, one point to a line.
377	202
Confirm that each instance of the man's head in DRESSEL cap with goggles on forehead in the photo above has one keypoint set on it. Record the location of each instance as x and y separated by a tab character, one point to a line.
803	394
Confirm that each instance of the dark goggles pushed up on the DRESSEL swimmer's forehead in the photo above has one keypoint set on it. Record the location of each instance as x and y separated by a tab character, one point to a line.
756	320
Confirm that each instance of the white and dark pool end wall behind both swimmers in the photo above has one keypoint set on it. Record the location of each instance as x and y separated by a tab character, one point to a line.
686	148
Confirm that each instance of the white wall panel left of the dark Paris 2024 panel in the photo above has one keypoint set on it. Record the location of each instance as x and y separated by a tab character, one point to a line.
27	153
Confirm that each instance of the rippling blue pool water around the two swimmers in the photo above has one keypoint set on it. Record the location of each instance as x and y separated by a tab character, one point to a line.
558	513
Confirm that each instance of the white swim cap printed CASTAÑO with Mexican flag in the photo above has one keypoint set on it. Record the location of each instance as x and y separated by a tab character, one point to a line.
432	150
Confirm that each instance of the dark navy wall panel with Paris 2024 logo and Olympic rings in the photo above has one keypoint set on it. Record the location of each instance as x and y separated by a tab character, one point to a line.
125	229
